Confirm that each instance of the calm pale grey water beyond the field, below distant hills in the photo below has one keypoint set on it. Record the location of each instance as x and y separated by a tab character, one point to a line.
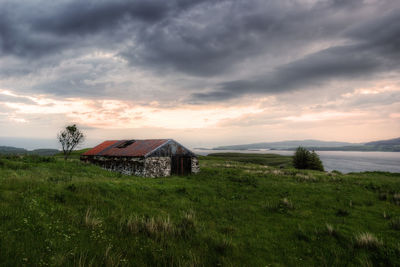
344	161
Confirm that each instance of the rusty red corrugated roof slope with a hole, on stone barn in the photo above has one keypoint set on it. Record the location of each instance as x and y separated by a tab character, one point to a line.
126	148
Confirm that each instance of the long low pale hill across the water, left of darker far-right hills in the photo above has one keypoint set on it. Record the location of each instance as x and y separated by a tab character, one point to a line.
286	145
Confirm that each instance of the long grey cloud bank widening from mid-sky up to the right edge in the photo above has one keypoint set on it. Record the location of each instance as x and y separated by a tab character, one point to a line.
377	49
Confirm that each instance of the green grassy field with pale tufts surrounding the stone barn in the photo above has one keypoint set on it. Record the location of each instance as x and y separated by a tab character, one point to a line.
233	213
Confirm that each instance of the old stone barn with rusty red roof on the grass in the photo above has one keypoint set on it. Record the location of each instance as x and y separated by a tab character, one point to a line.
148	158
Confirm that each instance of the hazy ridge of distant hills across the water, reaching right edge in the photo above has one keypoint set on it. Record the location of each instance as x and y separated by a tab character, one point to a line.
392	145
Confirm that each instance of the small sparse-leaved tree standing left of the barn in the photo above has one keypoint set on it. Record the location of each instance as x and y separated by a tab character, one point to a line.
69	138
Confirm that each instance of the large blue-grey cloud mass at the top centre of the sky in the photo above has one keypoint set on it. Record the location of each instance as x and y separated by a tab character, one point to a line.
214	39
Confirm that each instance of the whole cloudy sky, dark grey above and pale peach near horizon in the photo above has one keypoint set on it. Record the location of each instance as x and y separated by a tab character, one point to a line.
202	72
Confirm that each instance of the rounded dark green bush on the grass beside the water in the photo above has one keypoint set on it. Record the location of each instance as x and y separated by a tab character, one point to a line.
304	159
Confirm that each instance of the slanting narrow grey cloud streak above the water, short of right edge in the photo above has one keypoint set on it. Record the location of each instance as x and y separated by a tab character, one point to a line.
310	72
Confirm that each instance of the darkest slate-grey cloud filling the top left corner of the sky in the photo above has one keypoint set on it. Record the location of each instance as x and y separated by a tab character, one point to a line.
44	27
